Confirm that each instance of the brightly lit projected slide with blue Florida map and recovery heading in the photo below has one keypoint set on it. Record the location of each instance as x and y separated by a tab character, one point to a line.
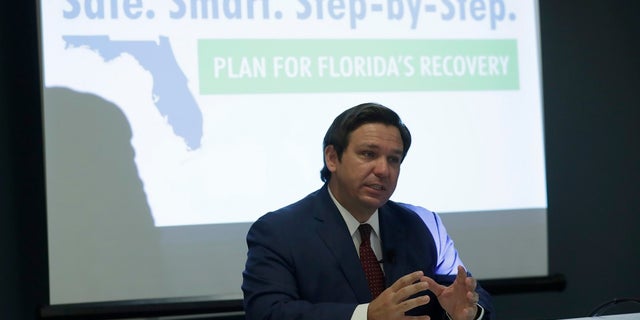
228	100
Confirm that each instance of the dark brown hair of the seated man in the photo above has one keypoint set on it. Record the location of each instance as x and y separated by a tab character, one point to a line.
340	130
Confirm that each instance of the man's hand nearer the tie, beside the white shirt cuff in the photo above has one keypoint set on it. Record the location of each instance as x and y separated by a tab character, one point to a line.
392	303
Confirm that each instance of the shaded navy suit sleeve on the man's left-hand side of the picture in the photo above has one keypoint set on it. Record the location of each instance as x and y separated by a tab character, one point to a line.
270	280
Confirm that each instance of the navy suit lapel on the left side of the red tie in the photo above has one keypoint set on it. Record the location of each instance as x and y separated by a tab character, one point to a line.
335	234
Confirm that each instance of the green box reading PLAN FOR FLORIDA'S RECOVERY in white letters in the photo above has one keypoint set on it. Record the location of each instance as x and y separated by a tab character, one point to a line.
230	66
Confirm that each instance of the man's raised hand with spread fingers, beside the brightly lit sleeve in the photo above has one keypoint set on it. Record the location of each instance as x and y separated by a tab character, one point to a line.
459	299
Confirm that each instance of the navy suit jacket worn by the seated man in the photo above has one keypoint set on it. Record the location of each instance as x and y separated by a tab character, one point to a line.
302	263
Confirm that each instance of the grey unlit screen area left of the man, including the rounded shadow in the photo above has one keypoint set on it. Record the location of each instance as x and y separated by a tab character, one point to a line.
103	245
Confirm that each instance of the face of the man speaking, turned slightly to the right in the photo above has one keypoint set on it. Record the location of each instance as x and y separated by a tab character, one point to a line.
368	173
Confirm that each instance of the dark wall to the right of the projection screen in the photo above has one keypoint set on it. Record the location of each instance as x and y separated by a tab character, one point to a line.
591	71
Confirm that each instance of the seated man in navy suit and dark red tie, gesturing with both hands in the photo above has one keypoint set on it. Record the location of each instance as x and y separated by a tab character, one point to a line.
305	260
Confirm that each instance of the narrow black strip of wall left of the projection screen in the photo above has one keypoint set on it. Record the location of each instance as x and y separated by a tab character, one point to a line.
23	260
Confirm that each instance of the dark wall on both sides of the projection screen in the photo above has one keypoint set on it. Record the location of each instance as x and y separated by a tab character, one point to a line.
591	66
